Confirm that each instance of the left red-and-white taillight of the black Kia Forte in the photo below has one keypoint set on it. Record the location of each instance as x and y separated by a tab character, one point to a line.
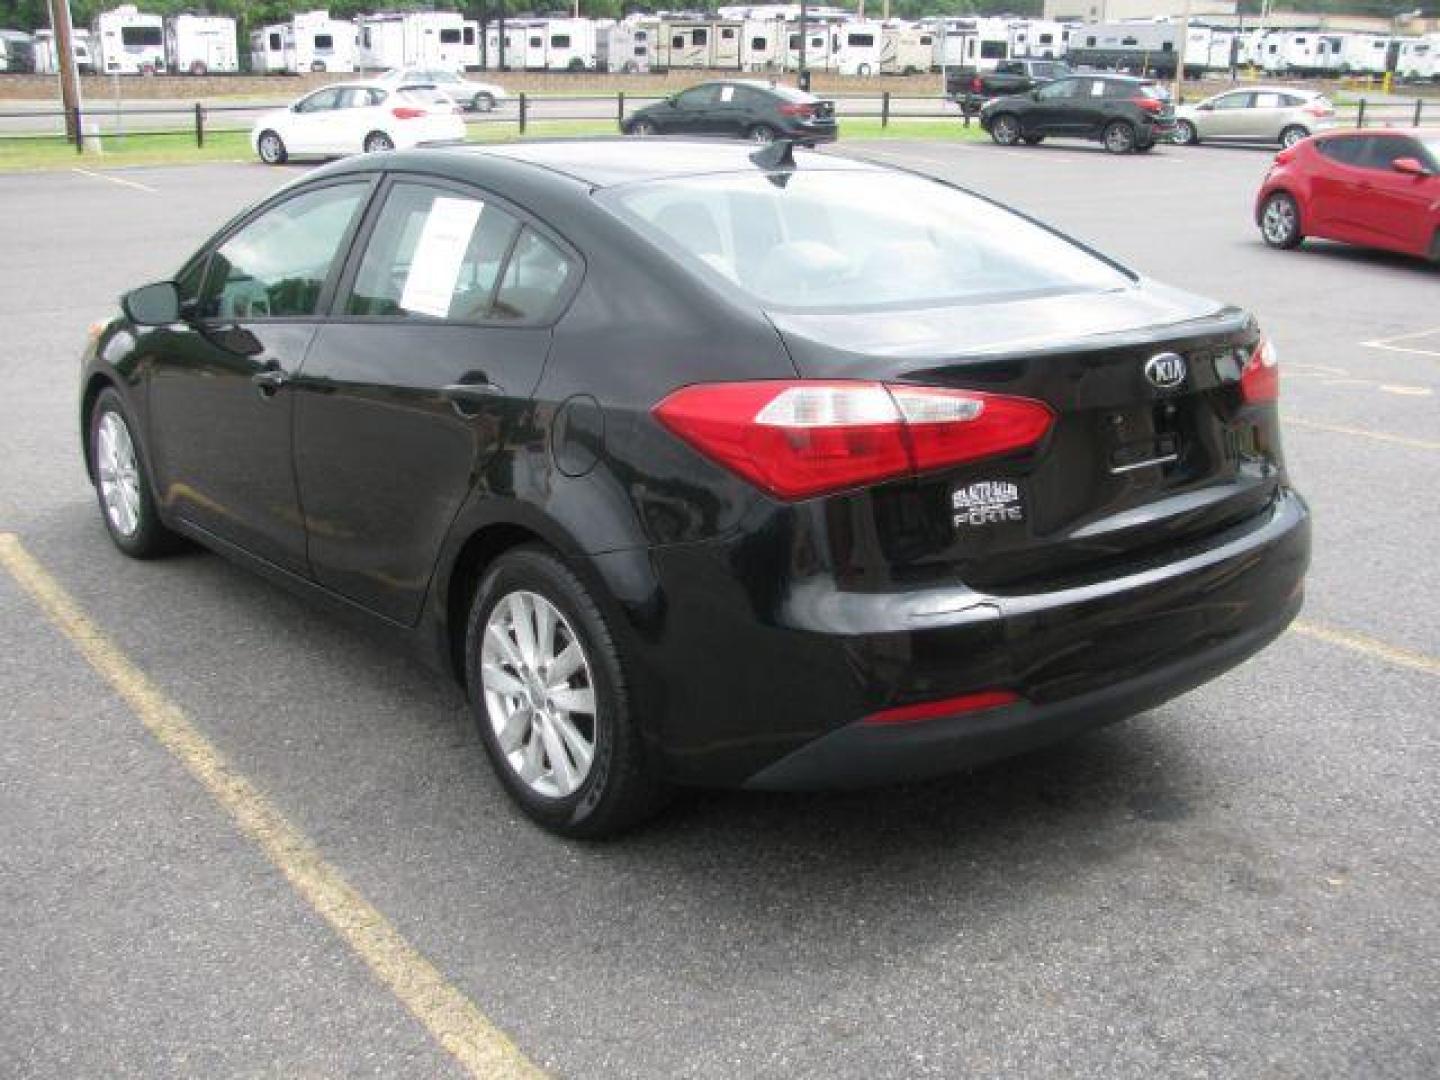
800	440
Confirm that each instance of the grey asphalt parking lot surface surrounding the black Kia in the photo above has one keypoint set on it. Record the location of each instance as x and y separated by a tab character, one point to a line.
1242	883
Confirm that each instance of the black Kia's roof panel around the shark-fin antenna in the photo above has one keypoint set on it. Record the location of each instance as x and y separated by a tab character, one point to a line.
607	162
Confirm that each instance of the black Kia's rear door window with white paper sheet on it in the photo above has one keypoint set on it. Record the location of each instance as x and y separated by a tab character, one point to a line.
433	254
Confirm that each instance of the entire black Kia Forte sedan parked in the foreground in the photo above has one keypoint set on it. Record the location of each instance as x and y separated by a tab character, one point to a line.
703	466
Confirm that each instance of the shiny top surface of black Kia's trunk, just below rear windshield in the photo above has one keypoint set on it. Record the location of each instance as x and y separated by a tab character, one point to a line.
989	329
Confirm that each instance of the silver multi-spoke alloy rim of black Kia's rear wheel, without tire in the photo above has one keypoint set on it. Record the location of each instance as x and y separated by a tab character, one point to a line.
539	695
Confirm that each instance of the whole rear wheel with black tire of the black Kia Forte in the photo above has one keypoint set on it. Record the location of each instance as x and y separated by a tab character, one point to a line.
549	696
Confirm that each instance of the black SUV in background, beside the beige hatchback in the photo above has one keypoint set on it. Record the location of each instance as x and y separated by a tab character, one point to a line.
1121	112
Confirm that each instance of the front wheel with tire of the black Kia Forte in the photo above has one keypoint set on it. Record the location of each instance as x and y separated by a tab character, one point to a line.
123	483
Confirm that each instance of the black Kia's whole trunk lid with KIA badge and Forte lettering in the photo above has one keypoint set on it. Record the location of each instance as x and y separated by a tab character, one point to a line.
1134	463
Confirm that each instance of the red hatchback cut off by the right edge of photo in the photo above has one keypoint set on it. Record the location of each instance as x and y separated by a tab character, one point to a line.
1379	189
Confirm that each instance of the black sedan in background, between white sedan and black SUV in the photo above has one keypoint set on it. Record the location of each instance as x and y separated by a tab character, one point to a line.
739	109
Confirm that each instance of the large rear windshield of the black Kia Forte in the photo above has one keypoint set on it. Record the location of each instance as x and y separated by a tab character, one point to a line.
830	240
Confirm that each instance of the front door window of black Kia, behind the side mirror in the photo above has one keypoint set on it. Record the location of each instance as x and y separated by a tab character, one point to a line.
277	266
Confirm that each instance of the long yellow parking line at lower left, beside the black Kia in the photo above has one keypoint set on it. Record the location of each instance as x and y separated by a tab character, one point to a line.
449	1016
